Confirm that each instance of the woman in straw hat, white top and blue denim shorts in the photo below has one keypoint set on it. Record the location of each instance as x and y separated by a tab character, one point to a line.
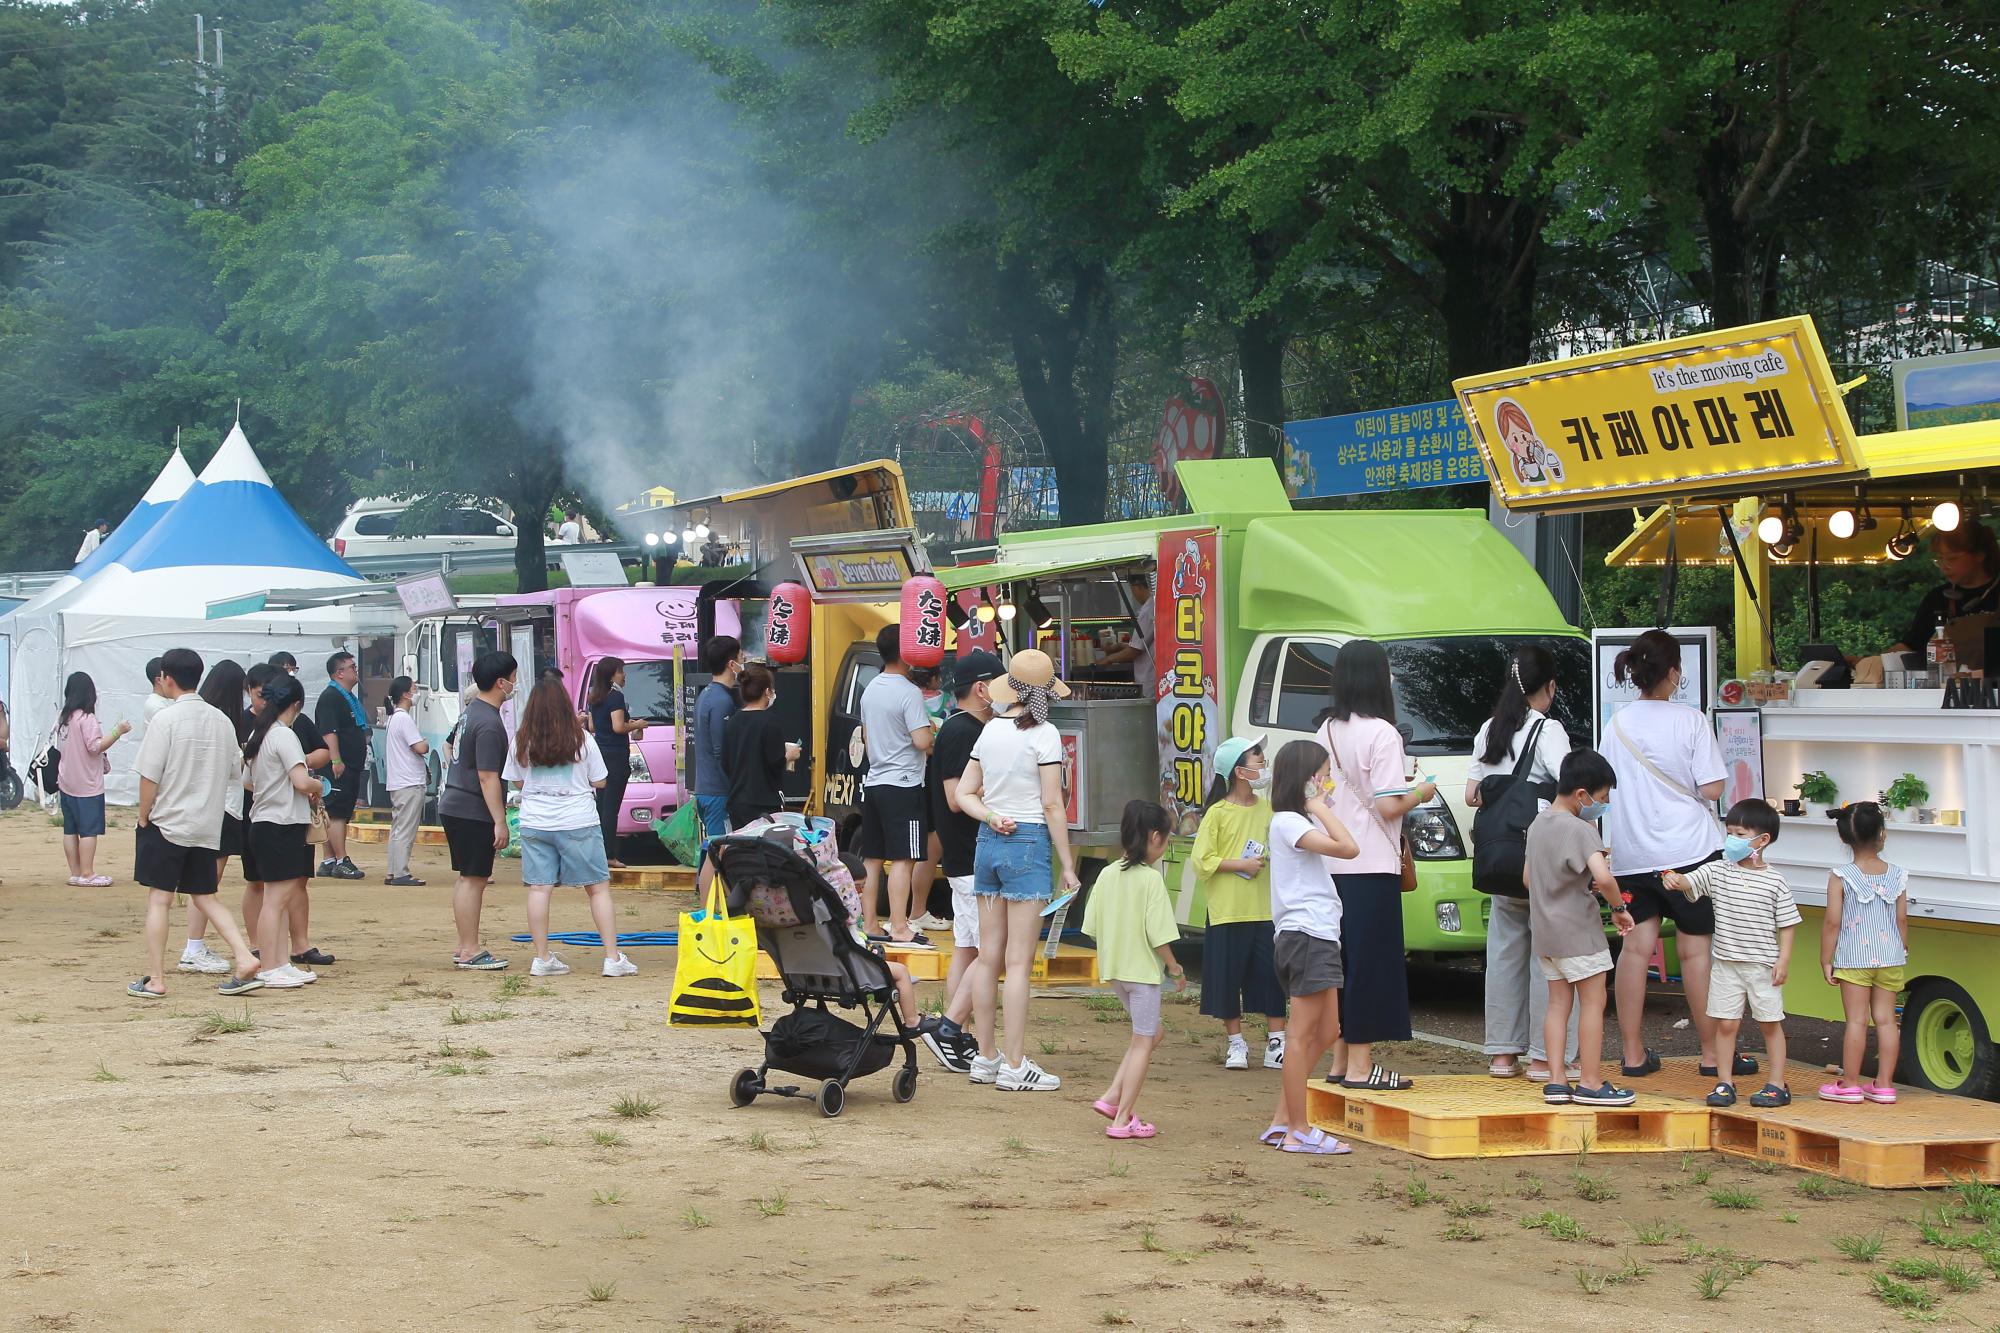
1013	786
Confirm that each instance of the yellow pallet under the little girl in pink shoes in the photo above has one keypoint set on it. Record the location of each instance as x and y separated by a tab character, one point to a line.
1921	1140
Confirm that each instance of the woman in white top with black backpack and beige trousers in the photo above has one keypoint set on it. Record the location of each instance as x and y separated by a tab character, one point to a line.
1519	746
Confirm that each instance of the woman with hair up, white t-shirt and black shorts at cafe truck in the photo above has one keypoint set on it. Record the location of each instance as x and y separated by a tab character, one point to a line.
1663	820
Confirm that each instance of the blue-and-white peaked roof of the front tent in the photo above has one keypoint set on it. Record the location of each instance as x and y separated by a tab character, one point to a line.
229	535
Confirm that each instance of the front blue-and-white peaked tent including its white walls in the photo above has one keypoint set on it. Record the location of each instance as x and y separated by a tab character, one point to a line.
229	535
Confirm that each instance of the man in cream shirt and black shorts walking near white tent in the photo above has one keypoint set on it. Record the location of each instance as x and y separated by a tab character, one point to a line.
187	766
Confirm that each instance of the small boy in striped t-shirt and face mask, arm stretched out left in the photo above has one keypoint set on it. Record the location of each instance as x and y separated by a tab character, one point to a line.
1753	944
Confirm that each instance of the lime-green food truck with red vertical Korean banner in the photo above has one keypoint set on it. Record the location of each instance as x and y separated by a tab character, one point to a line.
1251	605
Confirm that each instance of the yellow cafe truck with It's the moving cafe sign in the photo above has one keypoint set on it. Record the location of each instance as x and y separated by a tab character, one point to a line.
1737	451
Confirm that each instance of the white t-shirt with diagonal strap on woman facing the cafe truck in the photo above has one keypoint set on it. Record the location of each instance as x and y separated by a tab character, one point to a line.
1655	828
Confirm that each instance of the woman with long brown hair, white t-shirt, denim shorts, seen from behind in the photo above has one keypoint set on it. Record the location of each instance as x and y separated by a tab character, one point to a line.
559	770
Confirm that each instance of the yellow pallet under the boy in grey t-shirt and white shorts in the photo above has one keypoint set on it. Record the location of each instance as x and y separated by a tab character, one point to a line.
1461	1116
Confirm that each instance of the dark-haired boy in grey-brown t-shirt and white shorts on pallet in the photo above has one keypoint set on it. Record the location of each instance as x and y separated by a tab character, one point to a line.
1567	876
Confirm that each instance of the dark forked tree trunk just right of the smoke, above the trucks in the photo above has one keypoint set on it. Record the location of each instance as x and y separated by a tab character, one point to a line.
1067	363
